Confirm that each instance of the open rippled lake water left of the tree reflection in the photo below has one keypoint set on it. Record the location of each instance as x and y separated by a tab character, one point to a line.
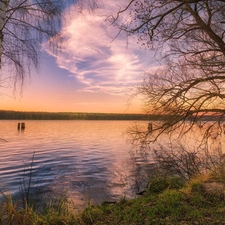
89	160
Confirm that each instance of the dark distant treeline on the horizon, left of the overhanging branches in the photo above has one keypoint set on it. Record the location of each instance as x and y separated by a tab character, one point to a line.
18	115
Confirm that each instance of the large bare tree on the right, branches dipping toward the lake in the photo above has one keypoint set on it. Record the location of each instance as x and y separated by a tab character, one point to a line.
188	38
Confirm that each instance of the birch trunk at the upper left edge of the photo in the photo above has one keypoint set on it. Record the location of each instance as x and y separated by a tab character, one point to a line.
3	6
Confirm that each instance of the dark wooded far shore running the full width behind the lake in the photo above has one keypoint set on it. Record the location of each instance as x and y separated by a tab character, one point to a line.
25	115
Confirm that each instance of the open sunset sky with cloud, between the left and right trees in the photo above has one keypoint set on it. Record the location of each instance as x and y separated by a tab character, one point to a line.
95	71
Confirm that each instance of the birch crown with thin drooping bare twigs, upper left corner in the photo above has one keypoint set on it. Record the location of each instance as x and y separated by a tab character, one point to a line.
24	25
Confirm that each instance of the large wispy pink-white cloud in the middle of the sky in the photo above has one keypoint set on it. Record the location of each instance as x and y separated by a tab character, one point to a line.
93	57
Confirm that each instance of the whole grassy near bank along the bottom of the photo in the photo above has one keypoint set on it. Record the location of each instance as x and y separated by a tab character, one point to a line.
167	201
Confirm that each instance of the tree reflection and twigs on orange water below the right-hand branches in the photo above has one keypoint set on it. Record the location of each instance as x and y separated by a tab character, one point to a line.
183	156
